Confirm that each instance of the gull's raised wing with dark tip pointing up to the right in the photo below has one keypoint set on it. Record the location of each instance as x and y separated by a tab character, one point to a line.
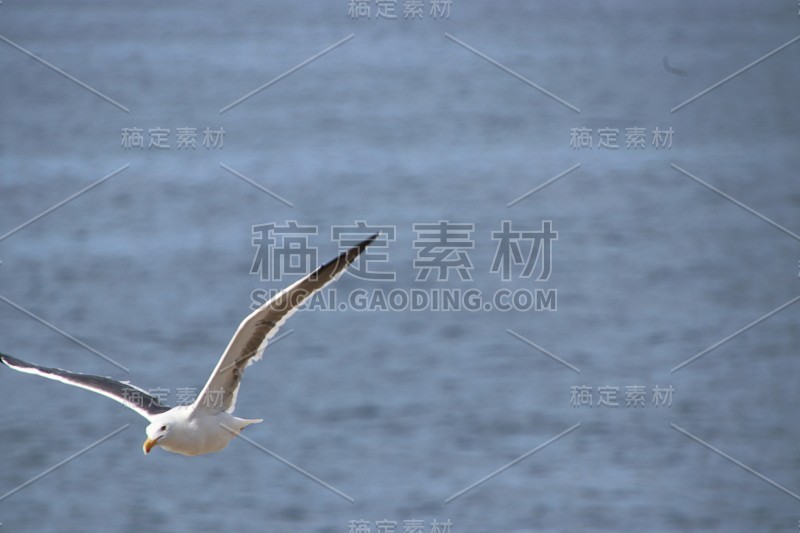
250	339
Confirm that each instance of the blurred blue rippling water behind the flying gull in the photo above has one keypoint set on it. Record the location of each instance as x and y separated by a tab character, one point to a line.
403	124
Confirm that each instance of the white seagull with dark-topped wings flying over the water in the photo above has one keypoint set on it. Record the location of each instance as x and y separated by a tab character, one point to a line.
208	424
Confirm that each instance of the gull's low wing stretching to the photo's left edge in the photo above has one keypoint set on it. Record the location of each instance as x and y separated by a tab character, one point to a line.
124	393
